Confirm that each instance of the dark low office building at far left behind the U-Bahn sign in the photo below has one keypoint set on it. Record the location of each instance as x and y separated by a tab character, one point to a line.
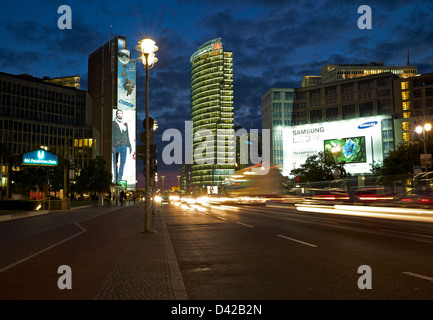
37	114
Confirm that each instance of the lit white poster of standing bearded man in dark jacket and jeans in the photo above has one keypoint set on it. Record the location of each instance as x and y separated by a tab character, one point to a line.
124	147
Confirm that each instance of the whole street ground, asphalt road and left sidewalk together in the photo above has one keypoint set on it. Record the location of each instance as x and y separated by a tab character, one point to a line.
205	251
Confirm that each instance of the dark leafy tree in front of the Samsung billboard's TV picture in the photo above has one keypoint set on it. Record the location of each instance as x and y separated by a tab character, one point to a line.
319	167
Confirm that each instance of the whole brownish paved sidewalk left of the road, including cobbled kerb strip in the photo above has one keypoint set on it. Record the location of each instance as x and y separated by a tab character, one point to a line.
111	259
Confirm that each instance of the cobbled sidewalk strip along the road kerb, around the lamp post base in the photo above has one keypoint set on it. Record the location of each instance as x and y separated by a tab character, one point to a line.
147	269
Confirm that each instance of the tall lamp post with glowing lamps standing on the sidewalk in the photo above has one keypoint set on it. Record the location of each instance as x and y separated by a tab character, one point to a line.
147	49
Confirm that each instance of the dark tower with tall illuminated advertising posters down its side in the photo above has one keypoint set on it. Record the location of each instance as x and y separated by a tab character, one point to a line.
112	87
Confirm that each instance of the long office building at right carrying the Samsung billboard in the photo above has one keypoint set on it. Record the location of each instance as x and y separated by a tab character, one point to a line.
401	102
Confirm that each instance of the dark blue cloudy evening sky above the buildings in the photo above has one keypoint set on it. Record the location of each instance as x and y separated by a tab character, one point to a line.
274	44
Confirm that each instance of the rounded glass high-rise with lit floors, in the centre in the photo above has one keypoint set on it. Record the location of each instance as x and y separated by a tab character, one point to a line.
212	114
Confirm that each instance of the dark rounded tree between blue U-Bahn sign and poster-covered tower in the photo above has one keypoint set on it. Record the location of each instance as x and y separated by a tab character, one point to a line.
95	178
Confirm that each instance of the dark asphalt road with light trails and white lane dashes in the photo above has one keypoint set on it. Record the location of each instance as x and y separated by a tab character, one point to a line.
262	253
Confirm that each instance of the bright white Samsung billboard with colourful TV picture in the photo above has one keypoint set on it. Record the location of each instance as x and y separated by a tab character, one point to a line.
357	142
